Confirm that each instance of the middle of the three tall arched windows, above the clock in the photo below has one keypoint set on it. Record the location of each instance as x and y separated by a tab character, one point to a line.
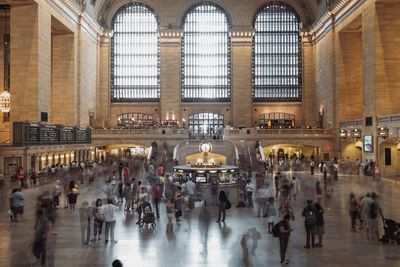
206	71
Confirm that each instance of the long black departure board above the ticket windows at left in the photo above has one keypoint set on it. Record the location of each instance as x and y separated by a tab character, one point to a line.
25	133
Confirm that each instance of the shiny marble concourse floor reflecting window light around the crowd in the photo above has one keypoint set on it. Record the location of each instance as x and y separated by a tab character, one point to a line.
200	241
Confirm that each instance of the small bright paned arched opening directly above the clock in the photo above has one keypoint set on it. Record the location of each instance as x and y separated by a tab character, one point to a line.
206	124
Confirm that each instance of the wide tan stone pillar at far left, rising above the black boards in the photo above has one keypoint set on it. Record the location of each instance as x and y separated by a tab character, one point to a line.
30	88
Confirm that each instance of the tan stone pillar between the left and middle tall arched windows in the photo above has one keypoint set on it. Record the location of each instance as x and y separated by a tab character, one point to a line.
170	91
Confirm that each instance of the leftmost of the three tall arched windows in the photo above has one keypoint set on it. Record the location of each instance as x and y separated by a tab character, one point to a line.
135	56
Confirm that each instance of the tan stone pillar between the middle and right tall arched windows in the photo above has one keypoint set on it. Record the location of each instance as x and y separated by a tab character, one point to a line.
241	92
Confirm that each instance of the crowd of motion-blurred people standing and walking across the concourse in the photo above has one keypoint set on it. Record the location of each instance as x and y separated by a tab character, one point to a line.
271	193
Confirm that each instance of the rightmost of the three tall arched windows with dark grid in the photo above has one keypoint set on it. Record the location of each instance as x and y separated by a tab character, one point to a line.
277	59
